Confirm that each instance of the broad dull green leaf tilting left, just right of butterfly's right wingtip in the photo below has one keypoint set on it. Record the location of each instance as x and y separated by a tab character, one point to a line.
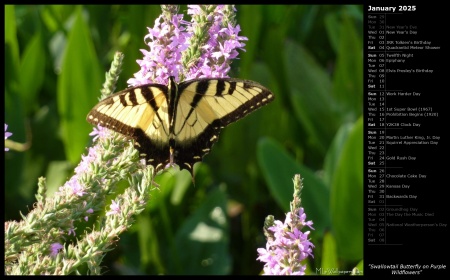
310	89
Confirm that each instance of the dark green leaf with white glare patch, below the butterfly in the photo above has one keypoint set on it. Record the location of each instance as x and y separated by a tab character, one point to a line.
202	240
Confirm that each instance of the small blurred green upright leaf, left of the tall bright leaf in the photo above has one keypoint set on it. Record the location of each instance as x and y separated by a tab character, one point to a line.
32	71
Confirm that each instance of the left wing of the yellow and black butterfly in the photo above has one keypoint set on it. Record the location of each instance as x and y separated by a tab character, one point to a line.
141	113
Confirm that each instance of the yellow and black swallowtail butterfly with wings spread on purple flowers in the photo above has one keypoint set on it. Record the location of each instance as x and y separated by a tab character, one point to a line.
178	123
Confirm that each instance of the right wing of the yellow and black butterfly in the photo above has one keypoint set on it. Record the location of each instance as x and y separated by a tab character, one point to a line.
205	106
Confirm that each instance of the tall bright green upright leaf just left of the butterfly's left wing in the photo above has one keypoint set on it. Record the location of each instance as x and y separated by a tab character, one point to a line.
78	88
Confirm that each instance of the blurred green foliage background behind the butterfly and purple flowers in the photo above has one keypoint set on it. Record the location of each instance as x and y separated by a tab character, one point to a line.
310	56
